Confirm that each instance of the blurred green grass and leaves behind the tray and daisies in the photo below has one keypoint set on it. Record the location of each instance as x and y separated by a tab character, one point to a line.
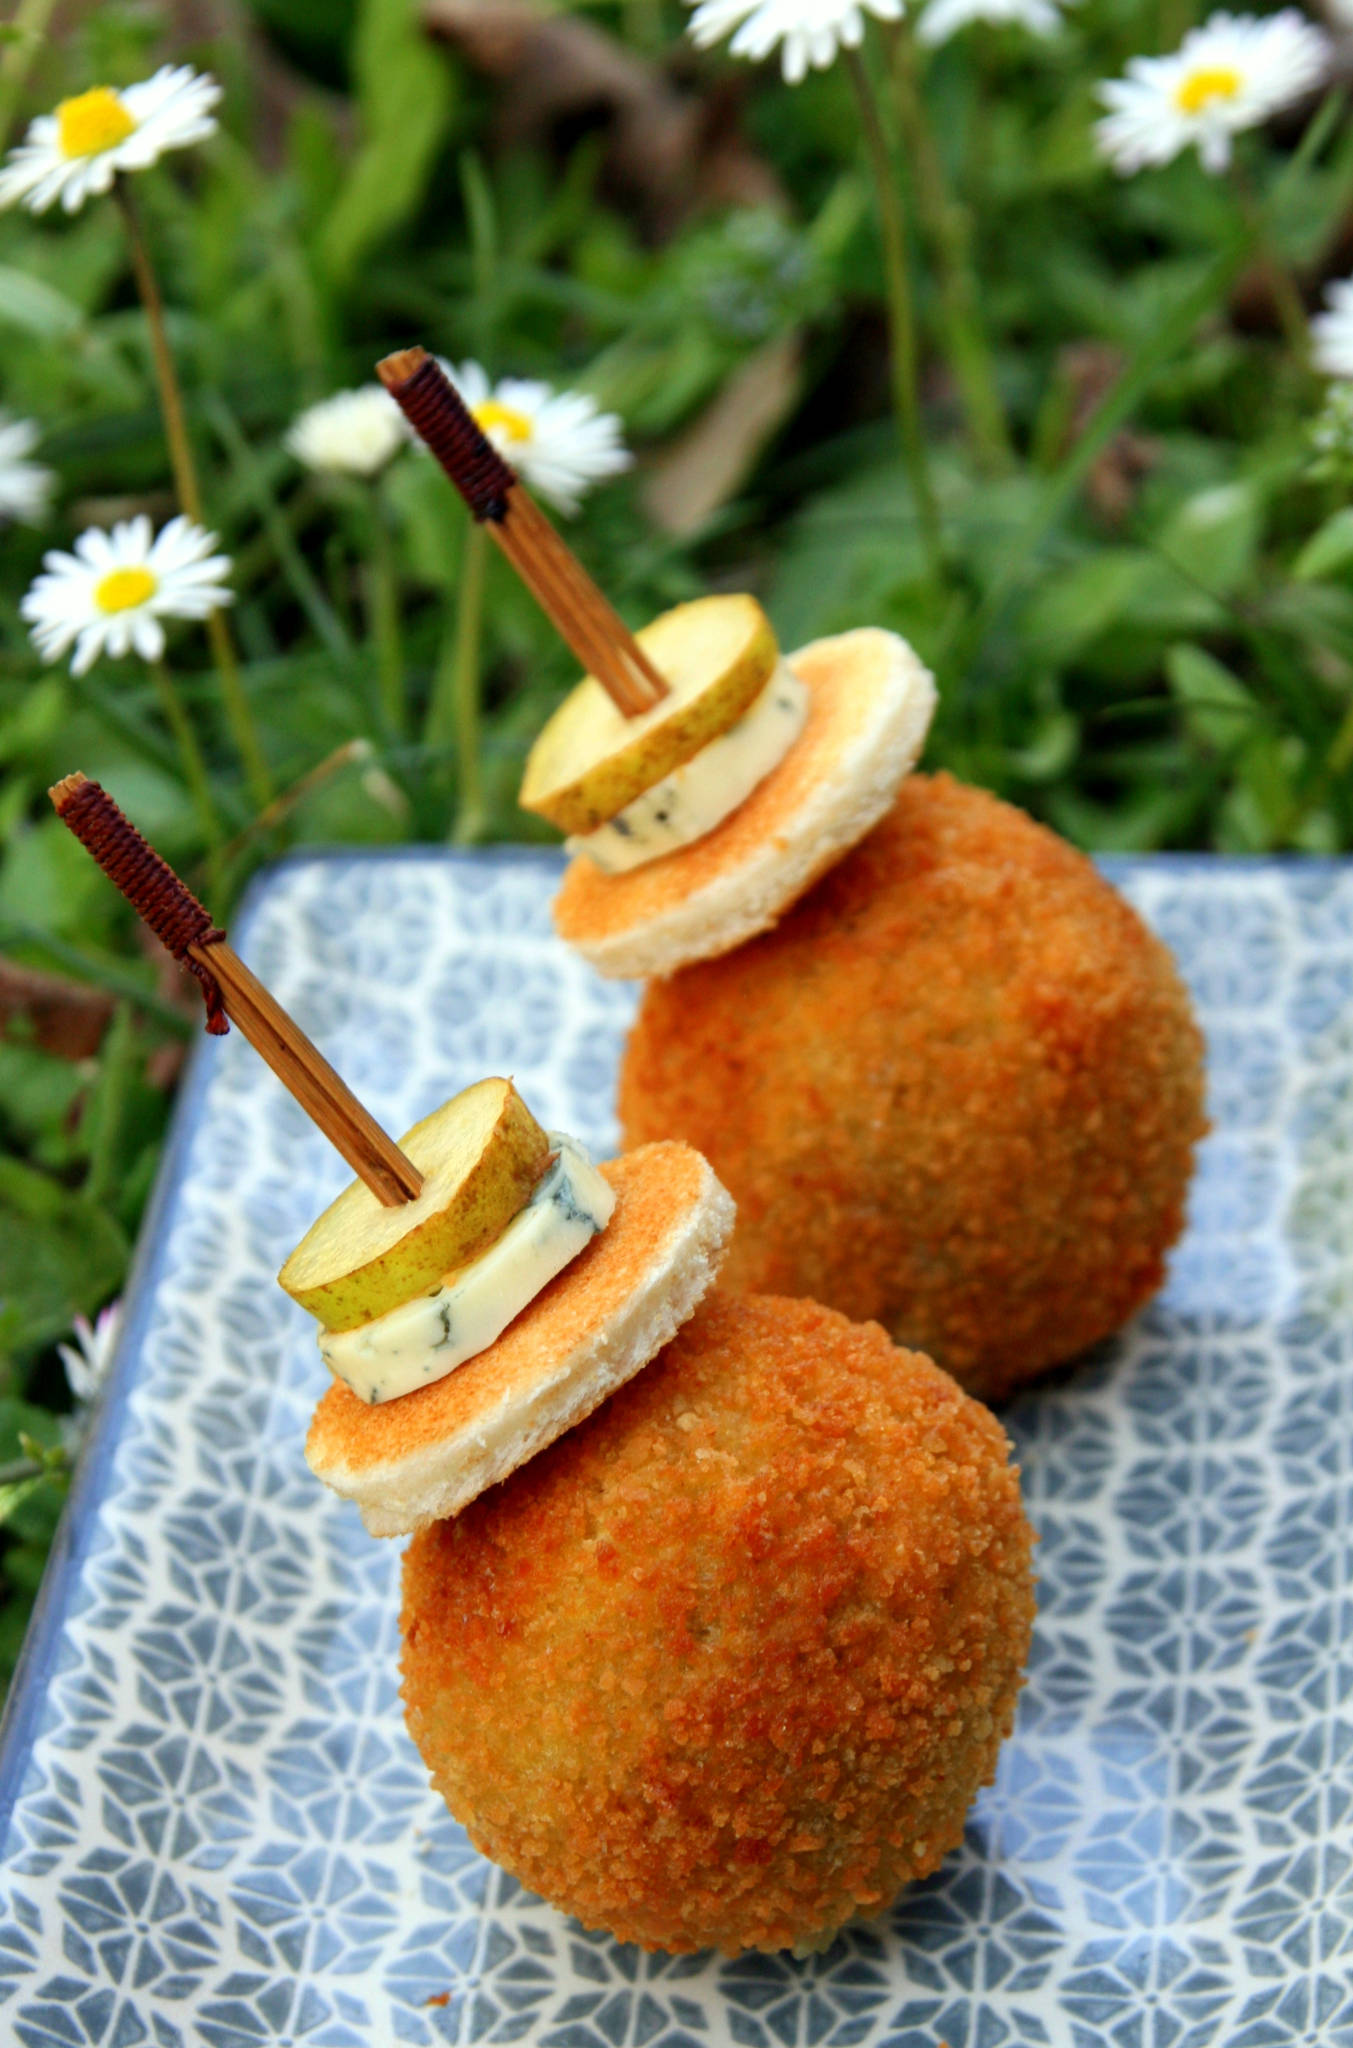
1145	630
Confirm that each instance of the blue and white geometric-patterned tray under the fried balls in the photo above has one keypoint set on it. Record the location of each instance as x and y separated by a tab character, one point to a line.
214	1826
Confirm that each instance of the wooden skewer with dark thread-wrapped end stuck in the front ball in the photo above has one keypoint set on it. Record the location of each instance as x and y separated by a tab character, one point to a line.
179	923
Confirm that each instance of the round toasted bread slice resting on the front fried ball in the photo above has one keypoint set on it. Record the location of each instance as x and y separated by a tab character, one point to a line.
429	1453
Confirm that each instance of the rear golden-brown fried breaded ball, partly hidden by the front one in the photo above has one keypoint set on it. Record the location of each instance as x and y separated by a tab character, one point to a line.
957	1091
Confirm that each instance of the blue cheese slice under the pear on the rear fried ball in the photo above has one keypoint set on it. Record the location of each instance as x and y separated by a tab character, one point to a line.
709	787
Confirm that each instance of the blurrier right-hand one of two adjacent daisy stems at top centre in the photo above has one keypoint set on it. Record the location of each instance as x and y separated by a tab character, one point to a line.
949	228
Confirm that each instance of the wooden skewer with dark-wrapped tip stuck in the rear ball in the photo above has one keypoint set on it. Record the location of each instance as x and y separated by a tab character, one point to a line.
550	568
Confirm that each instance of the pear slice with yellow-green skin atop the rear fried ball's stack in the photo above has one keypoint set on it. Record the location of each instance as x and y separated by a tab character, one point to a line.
591	761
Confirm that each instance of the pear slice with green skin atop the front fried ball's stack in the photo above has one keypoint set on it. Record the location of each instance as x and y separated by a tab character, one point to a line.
480	1156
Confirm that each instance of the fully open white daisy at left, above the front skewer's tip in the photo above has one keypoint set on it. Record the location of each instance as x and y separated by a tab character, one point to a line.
112	595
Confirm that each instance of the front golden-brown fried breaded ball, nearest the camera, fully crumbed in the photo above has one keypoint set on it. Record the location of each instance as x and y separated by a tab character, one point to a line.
728	1664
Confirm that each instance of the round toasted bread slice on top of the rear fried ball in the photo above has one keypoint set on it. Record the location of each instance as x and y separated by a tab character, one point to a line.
871	703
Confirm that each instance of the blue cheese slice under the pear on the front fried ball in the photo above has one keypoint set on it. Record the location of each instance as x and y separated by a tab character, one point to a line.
431	1336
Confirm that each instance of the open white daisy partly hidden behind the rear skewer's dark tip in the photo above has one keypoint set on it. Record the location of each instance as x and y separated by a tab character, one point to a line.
558	441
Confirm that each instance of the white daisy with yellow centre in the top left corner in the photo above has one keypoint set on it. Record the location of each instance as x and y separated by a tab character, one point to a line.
79	151
